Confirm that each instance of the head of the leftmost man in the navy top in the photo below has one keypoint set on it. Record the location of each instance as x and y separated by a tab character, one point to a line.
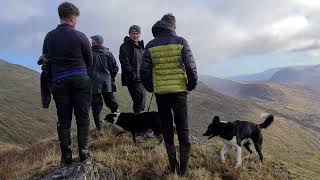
68	13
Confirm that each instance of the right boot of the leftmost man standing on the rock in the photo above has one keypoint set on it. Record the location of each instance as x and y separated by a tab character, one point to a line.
83	137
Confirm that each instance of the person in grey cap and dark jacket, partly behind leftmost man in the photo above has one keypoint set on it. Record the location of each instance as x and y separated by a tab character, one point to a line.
102	74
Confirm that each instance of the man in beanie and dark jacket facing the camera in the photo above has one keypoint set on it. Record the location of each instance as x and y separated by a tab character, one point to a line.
130	56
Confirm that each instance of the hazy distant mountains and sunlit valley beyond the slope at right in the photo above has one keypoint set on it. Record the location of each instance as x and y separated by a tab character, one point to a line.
292	91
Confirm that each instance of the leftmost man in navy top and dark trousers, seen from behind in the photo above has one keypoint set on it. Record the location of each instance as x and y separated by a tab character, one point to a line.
69	53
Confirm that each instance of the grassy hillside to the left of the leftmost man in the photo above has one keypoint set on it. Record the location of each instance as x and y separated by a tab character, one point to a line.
21	116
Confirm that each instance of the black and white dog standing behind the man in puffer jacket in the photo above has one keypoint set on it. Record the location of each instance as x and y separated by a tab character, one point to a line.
137	122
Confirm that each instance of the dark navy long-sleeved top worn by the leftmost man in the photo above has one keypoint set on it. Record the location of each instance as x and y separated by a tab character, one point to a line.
67	49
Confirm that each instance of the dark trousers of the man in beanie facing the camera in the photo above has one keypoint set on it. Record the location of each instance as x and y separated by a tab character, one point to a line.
138	95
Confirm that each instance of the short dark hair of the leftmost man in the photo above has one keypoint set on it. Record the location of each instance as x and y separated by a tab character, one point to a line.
66	10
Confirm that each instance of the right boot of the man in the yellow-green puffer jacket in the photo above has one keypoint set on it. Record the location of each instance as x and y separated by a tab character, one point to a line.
185	151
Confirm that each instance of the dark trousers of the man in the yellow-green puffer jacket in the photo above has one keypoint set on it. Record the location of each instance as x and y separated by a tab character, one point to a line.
175	103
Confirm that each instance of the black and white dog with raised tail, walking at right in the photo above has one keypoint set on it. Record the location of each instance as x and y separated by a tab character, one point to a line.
238	133
